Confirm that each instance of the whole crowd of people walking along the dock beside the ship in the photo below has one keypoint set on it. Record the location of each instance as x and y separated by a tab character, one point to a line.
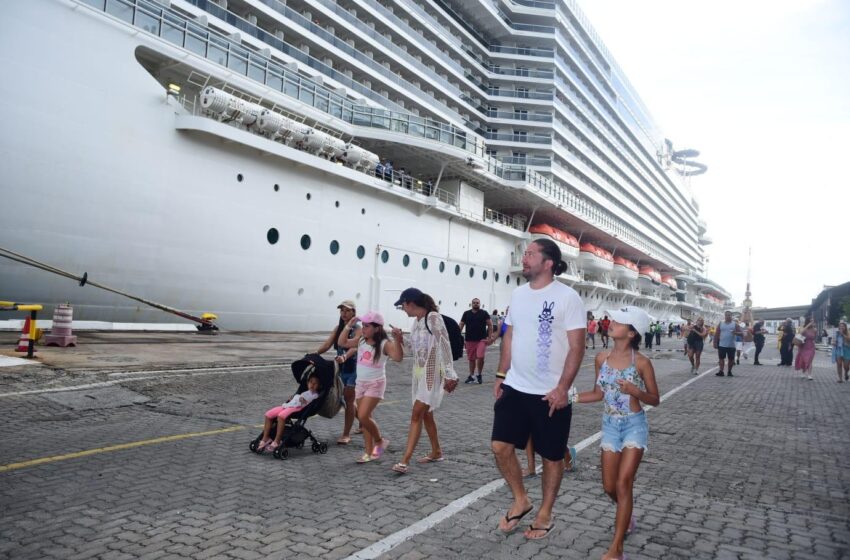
544	334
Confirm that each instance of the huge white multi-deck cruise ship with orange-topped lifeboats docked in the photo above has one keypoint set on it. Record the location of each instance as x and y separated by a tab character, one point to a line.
264	159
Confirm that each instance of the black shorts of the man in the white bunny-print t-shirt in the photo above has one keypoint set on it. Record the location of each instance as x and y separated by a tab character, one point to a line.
520	415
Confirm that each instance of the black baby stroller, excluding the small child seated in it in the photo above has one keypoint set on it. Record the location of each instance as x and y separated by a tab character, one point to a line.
327	405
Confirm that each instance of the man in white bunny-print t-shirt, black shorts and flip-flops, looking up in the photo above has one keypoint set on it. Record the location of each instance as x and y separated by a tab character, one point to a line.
542	350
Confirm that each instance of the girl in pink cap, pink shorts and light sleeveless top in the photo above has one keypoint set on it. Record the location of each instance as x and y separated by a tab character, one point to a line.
374	348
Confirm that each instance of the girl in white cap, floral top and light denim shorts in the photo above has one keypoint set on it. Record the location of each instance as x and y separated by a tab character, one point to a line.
625	378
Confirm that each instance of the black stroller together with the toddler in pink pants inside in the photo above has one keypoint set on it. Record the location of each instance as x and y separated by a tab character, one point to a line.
318	393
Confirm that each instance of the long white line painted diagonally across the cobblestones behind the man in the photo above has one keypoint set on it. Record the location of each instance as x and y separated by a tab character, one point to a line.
391	541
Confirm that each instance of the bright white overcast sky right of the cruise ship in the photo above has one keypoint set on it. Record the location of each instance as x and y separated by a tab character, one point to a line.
762	89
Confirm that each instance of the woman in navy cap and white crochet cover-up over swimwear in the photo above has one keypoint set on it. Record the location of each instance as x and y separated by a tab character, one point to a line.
433	371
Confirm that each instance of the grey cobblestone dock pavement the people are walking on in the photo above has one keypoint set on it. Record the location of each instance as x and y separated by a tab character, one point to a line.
754	466
